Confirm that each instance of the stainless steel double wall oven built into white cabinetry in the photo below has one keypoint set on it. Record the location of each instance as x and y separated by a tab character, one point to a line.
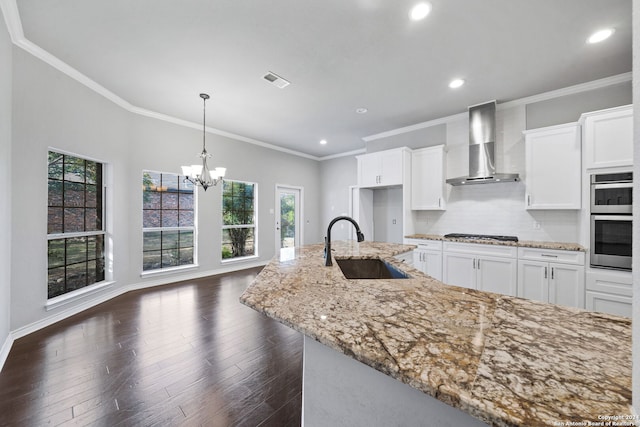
611	235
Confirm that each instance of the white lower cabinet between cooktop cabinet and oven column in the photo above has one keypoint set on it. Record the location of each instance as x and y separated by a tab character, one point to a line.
560	281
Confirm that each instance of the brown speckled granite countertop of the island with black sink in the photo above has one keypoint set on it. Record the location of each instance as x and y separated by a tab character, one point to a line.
505	360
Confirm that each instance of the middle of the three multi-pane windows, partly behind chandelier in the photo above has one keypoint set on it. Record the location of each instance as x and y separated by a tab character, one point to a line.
168	221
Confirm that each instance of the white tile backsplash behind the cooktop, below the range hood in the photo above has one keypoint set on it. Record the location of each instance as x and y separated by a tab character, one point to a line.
498	209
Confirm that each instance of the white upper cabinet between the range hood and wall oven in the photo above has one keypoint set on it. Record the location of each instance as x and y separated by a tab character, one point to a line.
553	167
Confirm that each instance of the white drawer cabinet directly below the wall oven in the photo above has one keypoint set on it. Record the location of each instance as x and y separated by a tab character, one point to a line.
609	291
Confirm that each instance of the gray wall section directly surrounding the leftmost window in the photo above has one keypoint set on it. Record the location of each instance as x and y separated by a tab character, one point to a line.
55	111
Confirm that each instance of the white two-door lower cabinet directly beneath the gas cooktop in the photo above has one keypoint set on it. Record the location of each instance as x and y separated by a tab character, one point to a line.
491	268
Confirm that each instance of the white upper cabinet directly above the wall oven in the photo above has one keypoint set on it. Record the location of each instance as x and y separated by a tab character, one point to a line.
608	136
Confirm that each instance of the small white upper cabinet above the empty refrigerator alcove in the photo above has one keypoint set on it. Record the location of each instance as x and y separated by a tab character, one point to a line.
382	168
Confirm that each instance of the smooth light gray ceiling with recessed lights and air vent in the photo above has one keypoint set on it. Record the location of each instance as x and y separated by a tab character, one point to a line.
339	55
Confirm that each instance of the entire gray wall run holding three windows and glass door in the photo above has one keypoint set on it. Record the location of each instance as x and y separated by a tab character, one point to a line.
55	111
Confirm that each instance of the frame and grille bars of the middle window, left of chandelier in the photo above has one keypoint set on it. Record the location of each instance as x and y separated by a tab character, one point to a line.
193	229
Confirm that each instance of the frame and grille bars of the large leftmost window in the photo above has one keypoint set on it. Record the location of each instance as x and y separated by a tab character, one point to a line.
104	206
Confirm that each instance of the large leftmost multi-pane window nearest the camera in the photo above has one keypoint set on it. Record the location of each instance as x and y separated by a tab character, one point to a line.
75	225
